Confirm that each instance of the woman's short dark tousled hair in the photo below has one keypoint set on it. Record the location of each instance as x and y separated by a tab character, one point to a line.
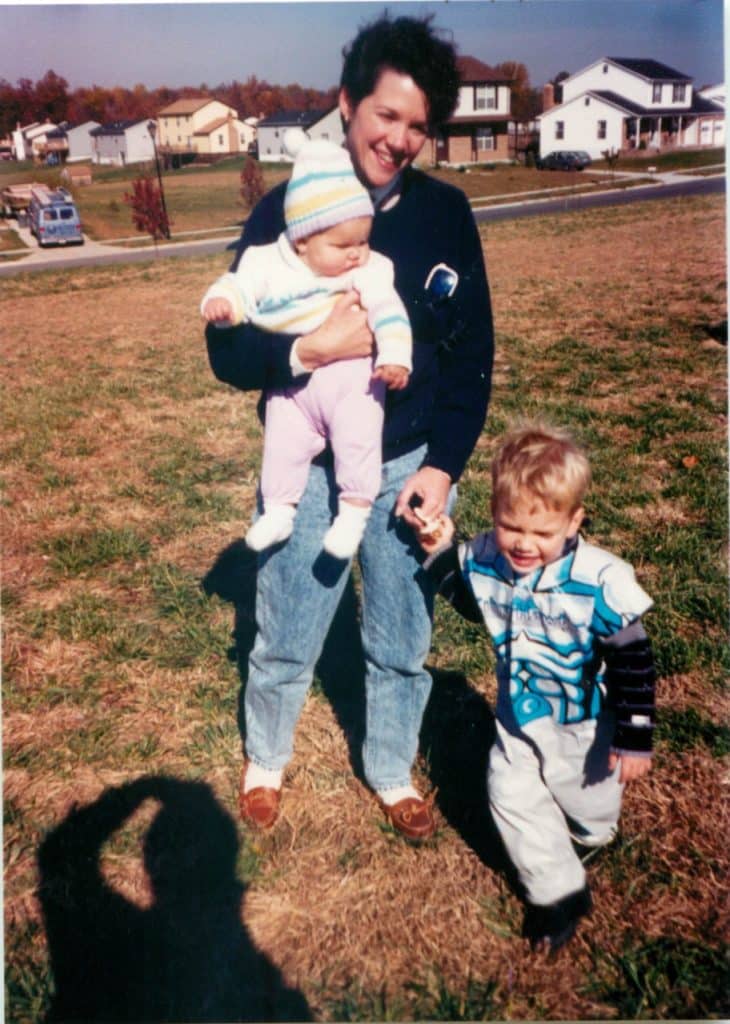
408	46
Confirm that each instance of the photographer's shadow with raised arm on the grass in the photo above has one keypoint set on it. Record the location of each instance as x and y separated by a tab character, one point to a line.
187	957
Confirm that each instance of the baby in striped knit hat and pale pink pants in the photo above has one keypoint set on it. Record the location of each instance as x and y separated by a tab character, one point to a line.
291	287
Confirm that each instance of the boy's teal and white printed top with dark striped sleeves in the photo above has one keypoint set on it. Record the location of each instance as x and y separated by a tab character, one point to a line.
566	636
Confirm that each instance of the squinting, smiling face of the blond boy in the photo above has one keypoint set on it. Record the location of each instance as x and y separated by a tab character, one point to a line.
531	535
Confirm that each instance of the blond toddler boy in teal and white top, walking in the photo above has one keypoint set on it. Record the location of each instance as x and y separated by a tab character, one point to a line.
575	668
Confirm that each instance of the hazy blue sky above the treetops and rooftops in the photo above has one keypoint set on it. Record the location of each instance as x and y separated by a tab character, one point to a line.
180	45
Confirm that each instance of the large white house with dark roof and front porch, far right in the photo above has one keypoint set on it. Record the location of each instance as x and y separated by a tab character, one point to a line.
626	104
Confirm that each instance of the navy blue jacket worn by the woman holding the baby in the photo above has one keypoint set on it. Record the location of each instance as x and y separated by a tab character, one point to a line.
445	404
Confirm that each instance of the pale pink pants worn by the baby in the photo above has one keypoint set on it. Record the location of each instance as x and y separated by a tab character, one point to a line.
341	404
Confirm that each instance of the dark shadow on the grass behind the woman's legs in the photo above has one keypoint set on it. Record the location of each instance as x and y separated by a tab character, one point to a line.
458	728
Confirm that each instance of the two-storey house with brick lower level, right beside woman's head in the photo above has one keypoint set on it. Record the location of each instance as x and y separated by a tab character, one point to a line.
479	130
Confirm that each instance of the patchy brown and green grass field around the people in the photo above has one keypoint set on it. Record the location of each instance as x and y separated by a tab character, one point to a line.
130	476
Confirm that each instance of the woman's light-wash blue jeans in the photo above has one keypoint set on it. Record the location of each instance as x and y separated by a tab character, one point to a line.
299	587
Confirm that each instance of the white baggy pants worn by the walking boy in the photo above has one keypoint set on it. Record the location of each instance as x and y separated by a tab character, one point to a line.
537	780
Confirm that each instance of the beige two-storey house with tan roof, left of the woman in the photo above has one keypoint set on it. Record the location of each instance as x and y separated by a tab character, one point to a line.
203	125
